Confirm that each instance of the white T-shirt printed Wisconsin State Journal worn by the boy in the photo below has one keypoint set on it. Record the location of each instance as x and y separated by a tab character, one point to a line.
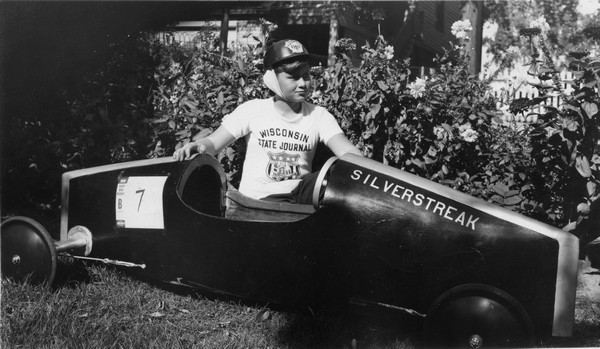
280	150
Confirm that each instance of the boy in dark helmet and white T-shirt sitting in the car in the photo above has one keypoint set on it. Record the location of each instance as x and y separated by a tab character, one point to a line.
283	131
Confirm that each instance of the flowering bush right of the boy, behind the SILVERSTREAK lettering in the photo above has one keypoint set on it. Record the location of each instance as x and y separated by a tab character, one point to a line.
443	127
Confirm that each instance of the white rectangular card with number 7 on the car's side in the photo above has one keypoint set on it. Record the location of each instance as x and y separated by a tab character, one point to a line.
139	202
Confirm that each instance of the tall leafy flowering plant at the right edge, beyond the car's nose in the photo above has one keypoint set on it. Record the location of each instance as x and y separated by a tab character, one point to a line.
565	141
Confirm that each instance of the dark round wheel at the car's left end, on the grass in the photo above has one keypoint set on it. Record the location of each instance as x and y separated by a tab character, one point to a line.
28	252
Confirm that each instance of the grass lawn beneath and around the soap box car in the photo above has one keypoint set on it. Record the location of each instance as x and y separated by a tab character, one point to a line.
98	307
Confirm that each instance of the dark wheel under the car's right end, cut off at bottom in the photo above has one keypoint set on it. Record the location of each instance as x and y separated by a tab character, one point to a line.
477	316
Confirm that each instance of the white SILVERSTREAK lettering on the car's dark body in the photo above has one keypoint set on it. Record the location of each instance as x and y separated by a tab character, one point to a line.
418	199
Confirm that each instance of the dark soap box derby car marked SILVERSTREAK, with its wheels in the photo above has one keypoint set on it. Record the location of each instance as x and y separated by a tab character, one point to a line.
374	236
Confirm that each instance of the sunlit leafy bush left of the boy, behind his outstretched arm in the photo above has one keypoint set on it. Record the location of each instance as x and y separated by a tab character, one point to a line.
196	86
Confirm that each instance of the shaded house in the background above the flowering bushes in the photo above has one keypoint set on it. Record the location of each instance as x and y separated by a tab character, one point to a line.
416	29
